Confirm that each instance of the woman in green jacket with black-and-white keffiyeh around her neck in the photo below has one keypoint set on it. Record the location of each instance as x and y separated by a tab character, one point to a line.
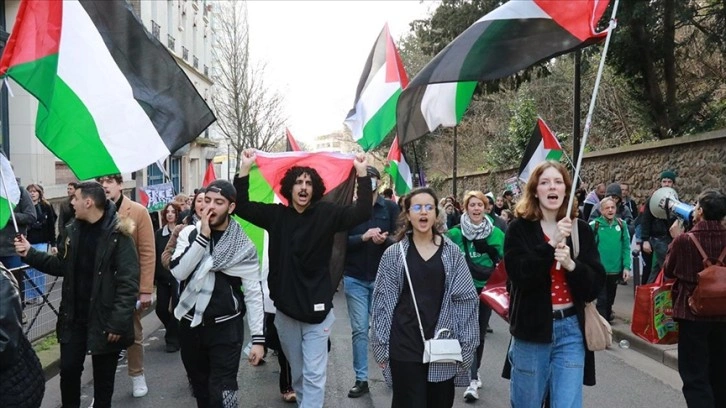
482	245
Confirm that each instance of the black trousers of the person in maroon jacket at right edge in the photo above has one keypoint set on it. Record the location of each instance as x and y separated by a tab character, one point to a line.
702	363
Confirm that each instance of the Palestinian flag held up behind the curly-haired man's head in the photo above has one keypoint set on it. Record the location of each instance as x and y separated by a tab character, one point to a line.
336	170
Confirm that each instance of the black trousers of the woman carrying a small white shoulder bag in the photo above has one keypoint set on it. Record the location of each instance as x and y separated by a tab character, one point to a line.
412	389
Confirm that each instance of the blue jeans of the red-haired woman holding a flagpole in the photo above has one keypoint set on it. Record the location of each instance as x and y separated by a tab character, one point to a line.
559	365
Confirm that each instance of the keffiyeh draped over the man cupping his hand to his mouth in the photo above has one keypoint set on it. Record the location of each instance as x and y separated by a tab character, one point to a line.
234	255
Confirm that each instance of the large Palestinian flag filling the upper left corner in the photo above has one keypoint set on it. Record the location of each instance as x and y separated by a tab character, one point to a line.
111	97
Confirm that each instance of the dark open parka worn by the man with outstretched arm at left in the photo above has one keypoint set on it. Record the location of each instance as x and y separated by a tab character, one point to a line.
114	288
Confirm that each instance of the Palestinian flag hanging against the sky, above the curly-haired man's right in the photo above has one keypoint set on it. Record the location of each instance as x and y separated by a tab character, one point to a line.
374	113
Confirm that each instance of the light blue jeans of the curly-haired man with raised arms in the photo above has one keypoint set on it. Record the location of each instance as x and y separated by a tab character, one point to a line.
306	348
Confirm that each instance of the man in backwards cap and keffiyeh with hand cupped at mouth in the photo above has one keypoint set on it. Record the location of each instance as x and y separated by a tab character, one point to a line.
215	260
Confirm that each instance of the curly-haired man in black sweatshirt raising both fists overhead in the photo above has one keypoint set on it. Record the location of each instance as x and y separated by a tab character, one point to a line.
300	245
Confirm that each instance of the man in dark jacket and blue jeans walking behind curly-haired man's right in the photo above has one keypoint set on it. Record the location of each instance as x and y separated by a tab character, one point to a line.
366	244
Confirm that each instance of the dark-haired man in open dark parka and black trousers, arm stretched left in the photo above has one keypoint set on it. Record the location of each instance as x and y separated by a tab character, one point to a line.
100	268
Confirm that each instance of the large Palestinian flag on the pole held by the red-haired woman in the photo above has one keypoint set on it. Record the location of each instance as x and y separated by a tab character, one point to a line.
512	37
